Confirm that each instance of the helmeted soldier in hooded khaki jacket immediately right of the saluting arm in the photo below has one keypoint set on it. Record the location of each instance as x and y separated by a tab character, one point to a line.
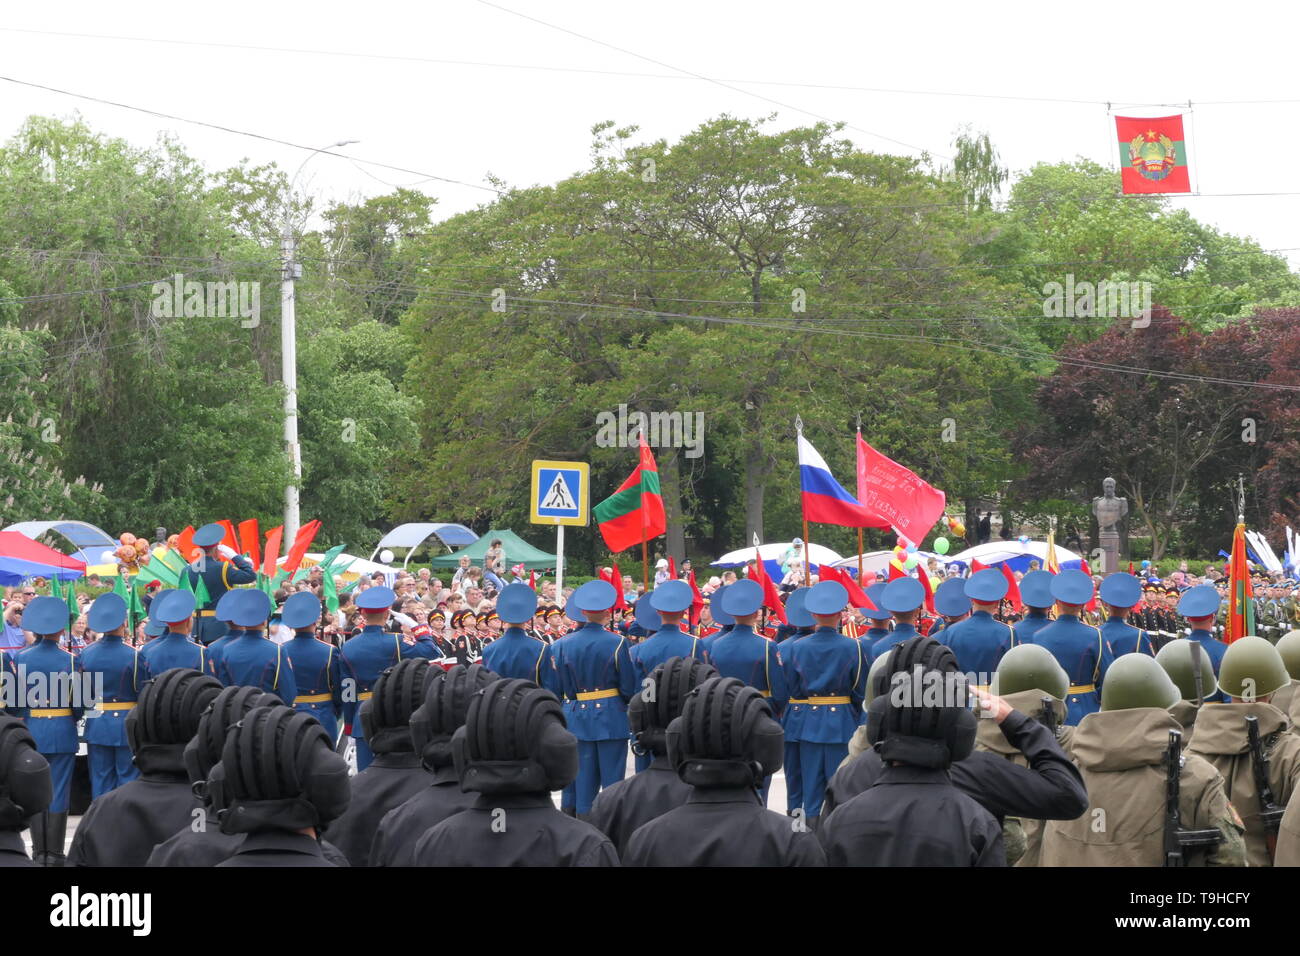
1121	752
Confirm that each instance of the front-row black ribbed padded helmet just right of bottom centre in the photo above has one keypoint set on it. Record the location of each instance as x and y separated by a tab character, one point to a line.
726	737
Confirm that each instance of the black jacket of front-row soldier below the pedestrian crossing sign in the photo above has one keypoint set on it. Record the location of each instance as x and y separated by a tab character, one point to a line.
514	830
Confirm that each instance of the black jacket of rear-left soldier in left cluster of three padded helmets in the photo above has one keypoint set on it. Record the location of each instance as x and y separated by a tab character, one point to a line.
123	827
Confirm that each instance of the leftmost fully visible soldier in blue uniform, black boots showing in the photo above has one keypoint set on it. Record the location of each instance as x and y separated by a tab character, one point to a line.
51	717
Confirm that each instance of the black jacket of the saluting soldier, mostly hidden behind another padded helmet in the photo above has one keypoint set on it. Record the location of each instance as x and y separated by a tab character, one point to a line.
1050	789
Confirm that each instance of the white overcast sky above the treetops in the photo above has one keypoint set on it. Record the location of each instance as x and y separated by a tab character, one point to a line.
532	126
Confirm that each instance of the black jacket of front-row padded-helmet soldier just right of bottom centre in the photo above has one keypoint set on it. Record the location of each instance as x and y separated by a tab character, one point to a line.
723	828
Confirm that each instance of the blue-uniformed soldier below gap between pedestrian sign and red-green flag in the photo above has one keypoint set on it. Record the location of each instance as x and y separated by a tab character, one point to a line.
597	678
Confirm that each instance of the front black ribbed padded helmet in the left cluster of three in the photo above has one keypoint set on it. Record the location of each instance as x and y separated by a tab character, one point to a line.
279	772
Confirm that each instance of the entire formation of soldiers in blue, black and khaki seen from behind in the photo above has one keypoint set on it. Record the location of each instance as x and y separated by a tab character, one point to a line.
1046	742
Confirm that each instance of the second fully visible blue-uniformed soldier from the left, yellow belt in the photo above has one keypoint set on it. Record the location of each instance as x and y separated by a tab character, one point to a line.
120	676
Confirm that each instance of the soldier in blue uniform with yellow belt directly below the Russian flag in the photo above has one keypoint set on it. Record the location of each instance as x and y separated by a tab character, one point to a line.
831	676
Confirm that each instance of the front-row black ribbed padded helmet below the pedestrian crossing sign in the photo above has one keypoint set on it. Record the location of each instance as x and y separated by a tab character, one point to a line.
514	741
